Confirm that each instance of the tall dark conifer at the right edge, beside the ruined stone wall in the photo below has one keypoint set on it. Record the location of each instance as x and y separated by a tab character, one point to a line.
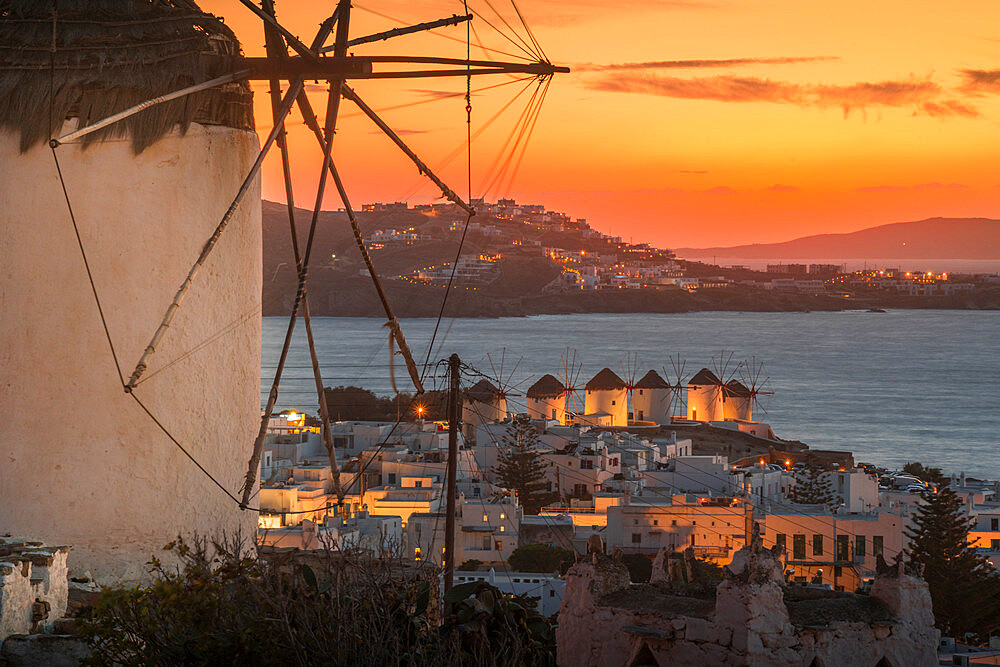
965	590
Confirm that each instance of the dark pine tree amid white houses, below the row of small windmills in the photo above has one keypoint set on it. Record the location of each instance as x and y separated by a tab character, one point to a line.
520	467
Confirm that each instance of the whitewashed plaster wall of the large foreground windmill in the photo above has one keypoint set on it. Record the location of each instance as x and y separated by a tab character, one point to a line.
82	464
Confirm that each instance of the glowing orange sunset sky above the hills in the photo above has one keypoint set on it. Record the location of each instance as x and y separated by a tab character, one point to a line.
687	122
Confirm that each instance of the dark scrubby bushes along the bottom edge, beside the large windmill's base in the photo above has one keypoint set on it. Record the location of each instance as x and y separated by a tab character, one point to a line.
225	604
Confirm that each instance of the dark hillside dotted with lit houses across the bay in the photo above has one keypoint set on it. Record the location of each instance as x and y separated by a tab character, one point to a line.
523	259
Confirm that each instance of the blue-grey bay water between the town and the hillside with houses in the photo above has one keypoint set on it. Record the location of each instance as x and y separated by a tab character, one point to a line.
894	387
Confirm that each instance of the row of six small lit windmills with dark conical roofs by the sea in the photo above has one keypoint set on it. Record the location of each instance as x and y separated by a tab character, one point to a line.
608	399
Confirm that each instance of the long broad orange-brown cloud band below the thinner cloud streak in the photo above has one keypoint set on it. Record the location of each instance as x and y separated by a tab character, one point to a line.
923	95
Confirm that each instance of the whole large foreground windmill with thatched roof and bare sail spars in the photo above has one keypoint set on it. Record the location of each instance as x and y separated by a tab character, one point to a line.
127	130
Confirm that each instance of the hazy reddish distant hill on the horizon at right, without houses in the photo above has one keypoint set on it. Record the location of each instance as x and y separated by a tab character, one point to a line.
934	238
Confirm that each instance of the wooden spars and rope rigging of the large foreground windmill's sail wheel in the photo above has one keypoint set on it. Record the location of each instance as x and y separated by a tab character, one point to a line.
279	40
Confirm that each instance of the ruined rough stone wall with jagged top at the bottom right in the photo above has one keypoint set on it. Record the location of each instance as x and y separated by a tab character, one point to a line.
755	619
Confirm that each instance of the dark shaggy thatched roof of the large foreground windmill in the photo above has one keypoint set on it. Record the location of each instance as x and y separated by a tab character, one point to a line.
110	55
